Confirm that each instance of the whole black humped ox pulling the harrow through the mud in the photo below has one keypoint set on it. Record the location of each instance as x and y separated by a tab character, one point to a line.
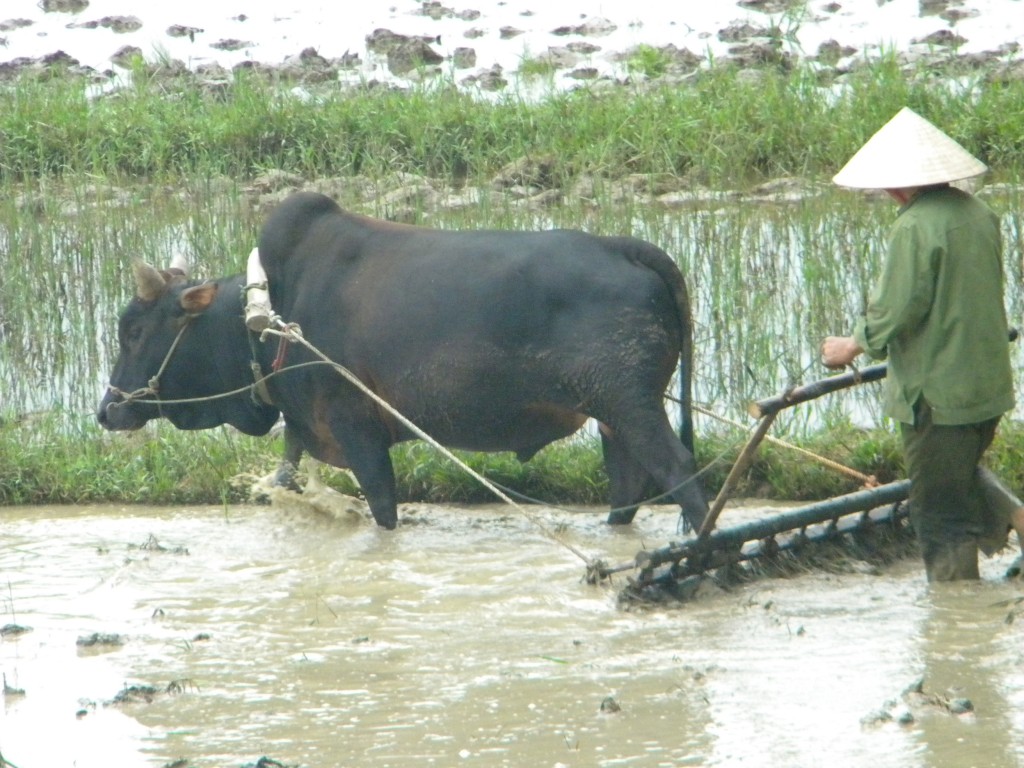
486	340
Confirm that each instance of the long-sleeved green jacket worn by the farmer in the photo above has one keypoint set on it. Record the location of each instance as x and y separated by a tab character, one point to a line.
937	312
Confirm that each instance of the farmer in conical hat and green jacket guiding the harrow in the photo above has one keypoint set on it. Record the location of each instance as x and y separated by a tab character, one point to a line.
937	315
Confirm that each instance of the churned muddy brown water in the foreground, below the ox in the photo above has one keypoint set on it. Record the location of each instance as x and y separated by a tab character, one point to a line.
467	638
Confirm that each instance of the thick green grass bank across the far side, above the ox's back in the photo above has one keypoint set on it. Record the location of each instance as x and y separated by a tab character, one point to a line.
726	126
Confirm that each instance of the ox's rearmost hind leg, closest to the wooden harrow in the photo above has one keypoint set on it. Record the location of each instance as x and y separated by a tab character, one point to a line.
654	446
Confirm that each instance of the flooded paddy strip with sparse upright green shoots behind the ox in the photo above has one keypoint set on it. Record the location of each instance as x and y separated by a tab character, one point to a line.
769	280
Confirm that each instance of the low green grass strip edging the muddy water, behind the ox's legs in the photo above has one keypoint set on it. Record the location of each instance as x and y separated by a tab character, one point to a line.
59	459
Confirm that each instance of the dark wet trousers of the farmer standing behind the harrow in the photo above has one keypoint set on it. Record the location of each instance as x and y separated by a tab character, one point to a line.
949	509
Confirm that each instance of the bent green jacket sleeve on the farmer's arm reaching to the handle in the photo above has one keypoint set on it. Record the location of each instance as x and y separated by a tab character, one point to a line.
904	295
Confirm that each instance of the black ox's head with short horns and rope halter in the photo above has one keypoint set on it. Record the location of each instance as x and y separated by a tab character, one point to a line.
179	347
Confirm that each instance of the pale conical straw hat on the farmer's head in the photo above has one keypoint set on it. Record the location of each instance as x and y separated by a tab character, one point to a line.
909	152
